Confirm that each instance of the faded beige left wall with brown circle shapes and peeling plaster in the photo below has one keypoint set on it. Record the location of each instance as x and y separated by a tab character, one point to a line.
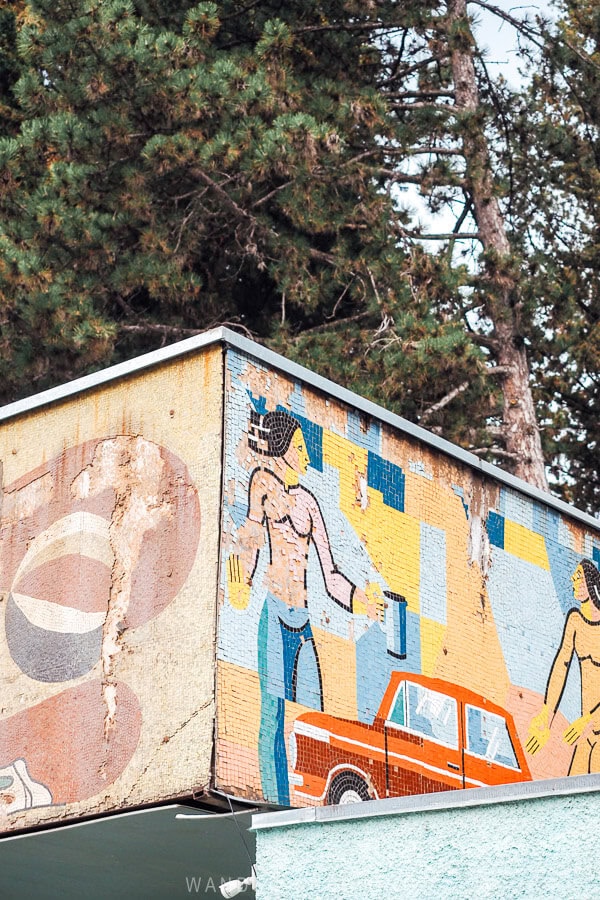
108	557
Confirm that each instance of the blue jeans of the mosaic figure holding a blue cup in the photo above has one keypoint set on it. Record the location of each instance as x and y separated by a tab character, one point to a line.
288	669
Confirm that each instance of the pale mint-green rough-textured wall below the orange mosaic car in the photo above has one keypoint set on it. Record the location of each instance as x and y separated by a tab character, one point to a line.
528	849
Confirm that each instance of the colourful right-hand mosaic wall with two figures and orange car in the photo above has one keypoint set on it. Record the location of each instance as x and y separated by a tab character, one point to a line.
390	623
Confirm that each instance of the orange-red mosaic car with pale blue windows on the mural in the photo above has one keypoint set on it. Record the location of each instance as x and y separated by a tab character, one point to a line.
428	735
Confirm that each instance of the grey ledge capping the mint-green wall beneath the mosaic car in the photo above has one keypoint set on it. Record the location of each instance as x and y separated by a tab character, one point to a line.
419	803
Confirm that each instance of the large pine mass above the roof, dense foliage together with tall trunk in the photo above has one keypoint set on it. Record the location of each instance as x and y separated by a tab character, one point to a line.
181	165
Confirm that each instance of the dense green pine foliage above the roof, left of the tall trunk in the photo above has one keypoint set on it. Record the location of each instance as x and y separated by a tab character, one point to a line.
180	166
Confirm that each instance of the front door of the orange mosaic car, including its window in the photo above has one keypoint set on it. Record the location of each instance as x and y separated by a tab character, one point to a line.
423	749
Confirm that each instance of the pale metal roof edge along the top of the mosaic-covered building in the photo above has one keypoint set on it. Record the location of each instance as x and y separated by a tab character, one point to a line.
266	357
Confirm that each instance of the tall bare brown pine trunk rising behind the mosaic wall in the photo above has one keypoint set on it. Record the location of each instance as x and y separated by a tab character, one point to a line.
520	429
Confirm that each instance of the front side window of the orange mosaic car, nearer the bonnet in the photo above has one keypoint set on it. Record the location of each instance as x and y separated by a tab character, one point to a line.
426	712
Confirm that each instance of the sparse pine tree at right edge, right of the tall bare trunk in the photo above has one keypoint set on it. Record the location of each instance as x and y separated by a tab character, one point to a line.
558	214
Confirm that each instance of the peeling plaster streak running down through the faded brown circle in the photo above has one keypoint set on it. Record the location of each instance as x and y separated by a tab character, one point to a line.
132	467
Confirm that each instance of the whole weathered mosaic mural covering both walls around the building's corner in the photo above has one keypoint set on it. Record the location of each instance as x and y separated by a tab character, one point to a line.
388	621
